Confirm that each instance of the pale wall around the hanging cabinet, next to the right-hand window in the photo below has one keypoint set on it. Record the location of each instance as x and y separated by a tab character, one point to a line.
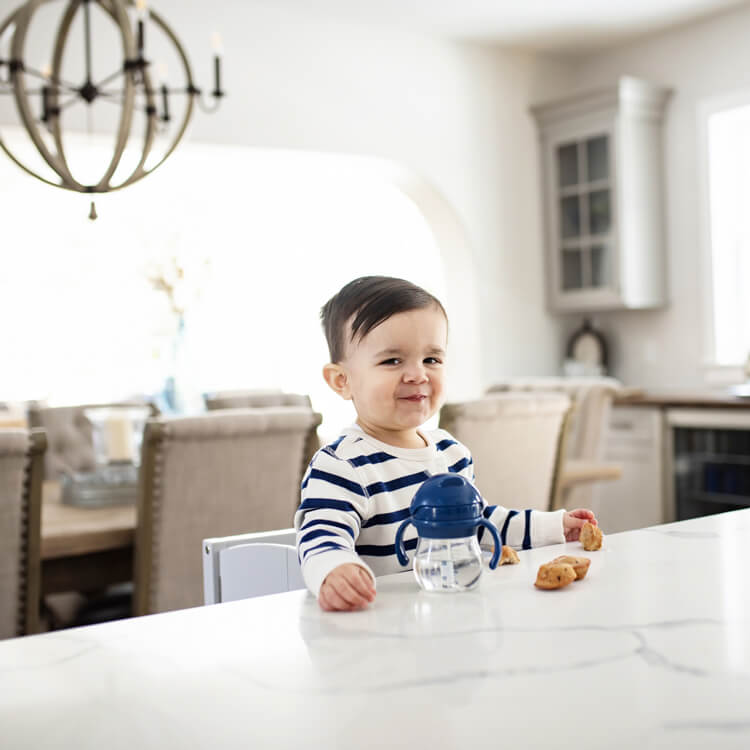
666	348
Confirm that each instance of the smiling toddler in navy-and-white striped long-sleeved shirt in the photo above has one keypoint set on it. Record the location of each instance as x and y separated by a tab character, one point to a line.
387	340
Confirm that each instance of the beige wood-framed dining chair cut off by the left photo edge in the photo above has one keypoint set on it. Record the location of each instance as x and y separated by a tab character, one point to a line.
21	472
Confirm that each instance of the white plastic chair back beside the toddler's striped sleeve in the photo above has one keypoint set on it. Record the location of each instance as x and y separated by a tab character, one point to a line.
242	566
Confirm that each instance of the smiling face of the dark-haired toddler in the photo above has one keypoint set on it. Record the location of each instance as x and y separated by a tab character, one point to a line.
395	374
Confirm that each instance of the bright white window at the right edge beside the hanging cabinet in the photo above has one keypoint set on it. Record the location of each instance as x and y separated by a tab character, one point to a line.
727	139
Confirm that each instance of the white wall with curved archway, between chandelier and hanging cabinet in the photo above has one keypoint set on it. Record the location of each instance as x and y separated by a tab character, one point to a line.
457	115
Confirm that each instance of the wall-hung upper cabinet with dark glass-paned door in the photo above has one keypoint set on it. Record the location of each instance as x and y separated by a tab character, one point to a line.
602	170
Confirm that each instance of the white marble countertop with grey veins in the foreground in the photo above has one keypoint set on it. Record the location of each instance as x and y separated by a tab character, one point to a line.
651	650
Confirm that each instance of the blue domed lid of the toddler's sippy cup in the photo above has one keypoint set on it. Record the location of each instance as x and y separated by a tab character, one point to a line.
446	506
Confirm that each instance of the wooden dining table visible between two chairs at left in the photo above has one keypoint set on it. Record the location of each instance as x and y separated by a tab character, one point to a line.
84	548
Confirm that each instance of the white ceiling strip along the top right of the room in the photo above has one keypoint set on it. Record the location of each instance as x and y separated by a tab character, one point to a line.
560	26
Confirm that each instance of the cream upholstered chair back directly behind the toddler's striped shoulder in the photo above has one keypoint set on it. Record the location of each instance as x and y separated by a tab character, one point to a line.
516	441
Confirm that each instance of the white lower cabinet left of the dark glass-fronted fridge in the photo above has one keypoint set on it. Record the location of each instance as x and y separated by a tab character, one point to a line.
635	441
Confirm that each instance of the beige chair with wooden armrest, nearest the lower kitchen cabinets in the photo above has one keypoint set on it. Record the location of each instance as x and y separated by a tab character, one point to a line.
583	461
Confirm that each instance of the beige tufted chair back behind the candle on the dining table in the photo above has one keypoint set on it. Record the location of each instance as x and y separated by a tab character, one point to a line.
70	442
